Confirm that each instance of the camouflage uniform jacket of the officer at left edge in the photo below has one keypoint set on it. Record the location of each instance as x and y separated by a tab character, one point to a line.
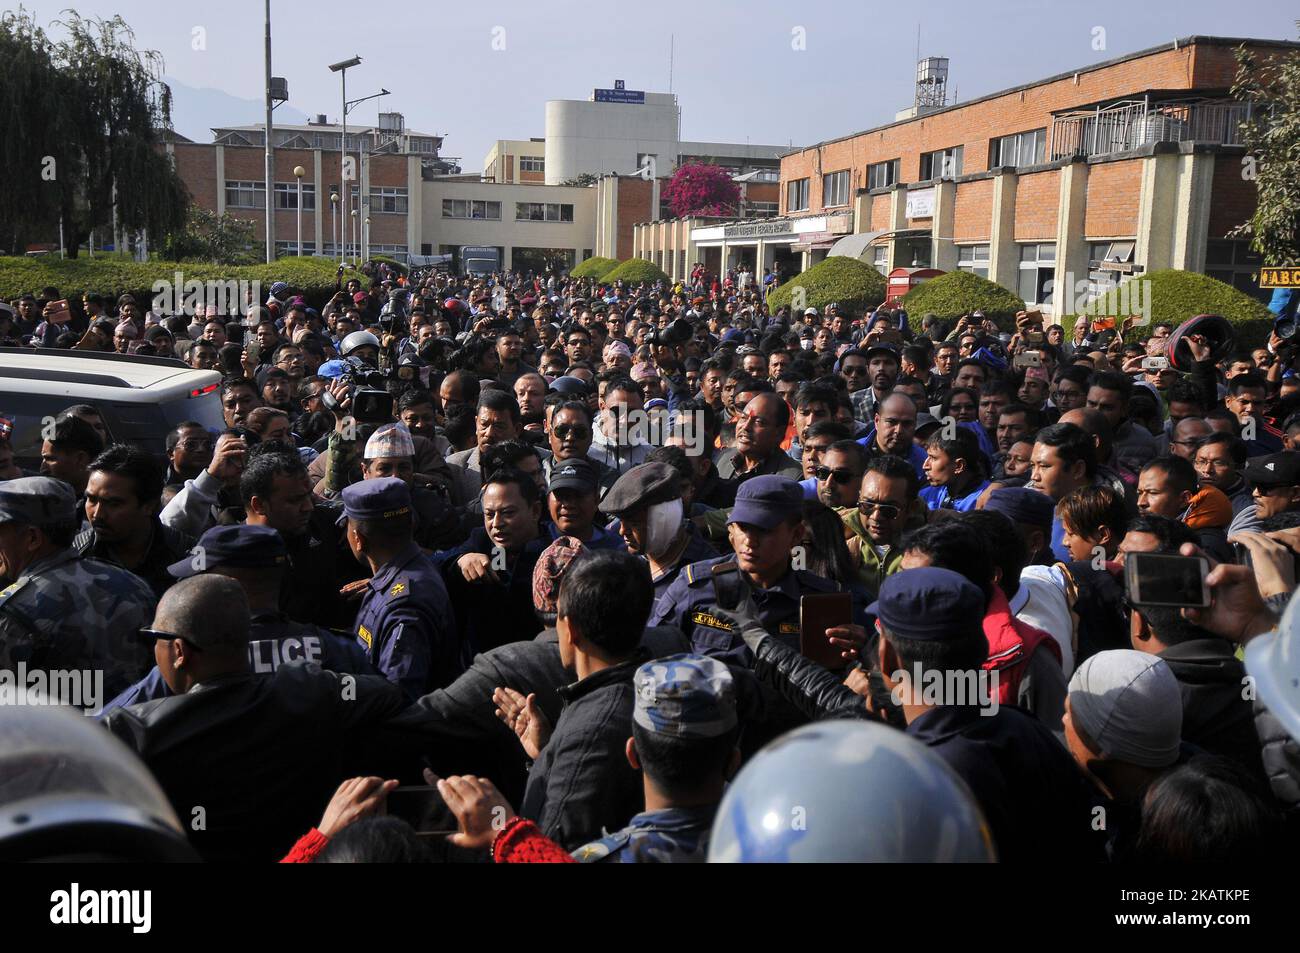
71	613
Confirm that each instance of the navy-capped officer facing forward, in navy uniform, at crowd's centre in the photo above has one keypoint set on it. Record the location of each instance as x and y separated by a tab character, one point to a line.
765	529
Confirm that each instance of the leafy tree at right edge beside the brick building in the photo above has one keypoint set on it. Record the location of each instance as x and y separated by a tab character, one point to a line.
1271	136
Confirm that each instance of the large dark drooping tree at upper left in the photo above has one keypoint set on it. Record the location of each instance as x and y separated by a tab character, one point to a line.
84	122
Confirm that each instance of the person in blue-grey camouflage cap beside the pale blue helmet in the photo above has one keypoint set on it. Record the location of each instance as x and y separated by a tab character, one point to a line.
684	713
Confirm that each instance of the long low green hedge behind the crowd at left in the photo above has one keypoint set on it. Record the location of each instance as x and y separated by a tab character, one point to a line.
313	278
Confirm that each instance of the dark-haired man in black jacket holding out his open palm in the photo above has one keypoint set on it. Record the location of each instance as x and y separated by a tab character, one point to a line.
582	783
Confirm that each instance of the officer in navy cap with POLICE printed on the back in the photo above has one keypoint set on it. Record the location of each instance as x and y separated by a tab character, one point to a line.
258	560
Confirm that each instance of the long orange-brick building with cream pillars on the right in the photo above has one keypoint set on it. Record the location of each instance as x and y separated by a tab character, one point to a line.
1058	189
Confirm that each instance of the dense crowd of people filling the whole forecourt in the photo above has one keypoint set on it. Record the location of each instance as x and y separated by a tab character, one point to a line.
521	569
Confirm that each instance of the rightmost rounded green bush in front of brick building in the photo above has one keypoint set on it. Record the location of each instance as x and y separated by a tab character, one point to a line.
1172	297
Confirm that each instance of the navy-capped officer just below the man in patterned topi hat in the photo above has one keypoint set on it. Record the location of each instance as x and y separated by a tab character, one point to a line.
406	622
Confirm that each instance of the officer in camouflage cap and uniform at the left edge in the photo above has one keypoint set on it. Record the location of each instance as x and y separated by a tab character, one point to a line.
60	612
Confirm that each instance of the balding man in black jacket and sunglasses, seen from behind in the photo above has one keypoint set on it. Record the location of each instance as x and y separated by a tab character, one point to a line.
248	761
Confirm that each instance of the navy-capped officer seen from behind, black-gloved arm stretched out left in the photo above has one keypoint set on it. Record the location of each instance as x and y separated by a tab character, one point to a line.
930	656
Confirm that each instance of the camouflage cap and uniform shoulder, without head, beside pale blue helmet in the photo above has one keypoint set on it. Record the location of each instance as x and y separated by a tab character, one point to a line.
692	700
